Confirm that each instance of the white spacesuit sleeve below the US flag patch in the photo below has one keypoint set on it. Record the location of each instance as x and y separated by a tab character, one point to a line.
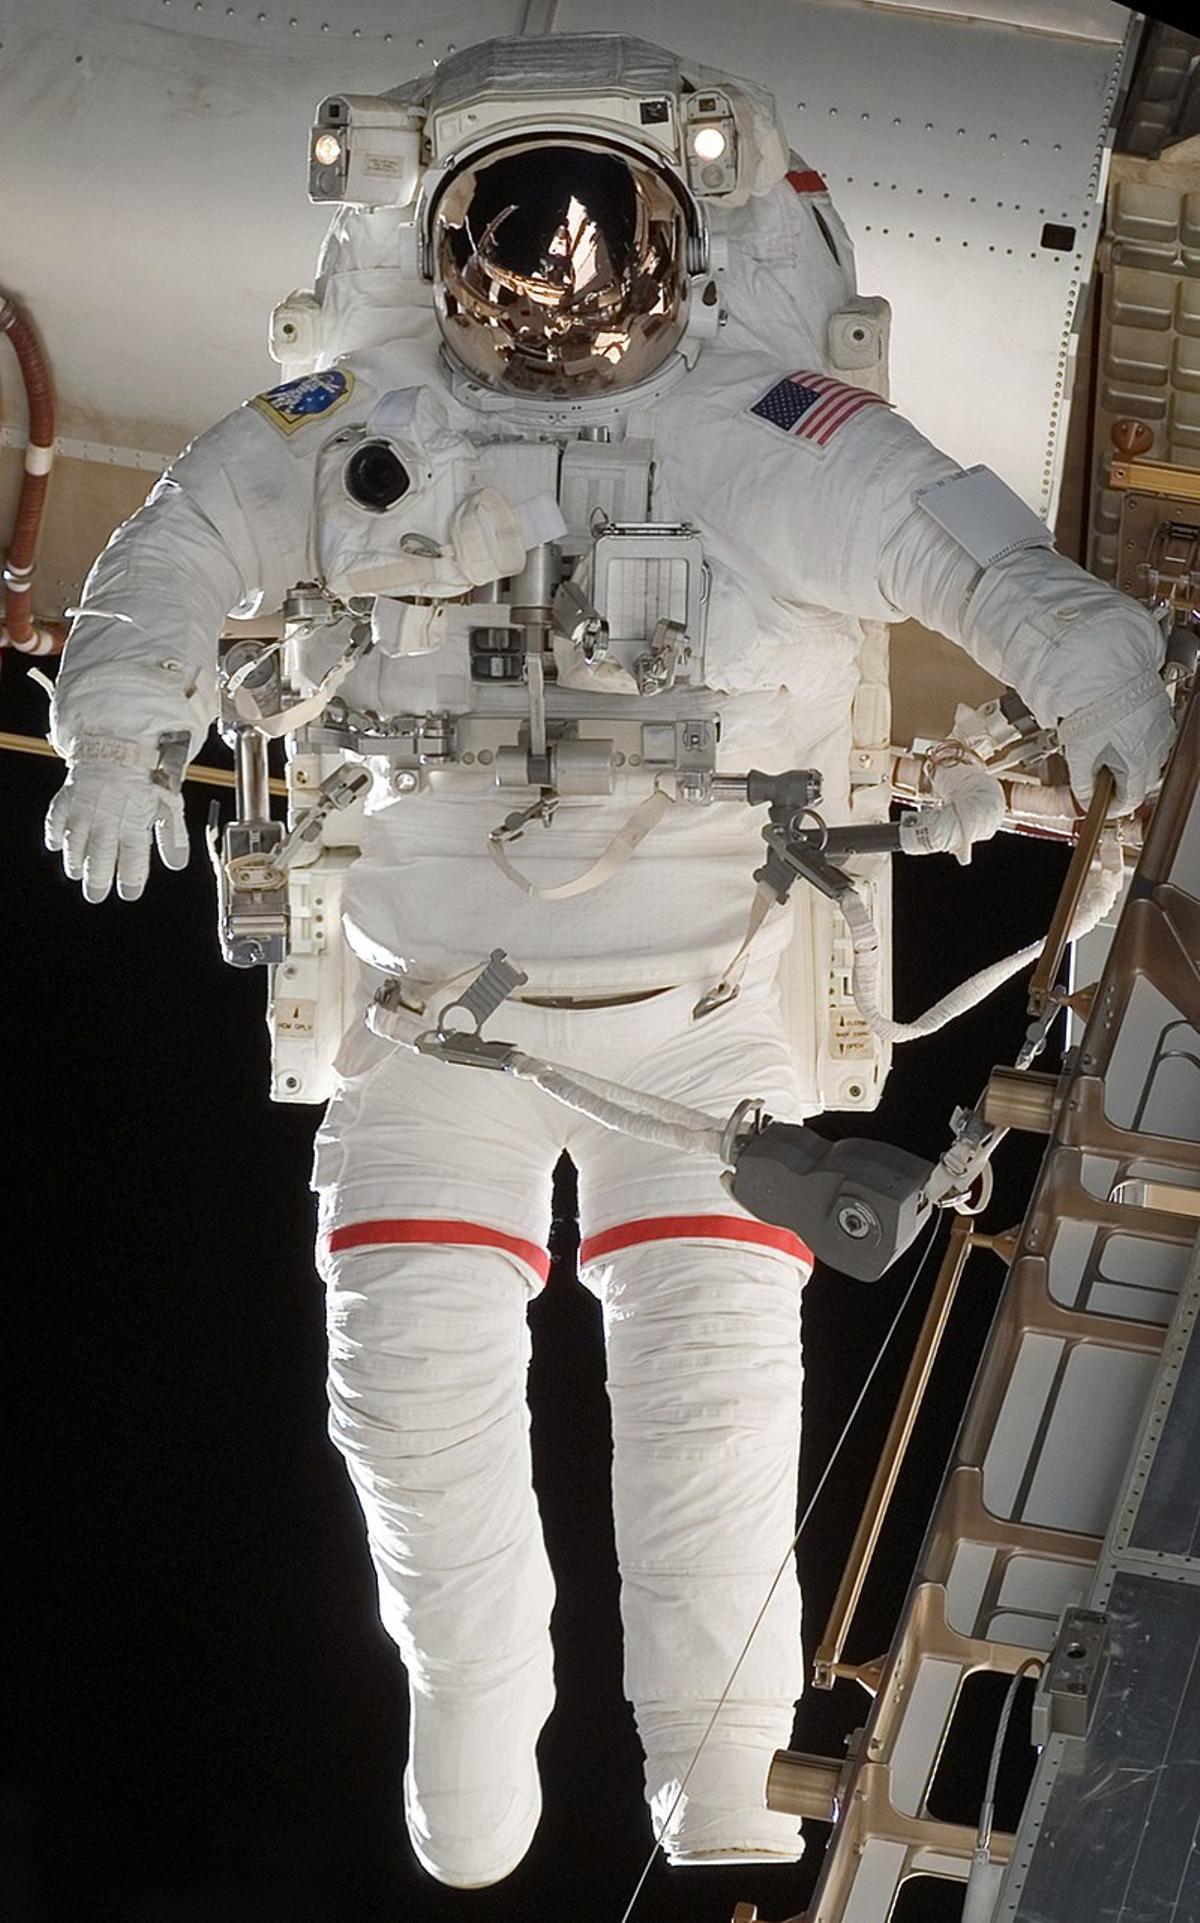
991	582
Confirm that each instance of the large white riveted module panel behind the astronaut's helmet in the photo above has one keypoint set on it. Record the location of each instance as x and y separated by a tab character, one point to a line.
155	178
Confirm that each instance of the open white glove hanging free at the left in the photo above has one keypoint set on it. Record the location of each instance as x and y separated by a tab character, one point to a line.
103	818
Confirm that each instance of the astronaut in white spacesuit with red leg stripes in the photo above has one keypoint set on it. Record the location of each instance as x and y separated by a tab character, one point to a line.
601	316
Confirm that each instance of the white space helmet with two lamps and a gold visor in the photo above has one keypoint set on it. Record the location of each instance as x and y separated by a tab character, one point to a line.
561	189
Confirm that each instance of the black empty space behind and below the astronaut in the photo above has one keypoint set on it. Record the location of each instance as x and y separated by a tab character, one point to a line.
205	1722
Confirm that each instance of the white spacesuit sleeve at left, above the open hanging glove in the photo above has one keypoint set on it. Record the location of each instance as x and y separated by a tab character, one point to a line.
226	530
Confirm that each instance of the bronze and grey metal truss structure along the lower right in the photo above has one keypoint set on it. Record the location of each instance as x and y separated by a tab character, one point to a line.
1068	1528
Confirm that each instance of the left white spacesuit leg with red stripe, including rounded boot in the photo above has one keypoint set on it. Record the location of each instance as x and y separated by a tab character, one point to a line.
436	1195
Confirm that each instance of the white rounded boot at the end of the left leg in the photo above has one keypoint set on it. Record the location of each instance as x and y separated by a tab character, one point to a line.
474	1755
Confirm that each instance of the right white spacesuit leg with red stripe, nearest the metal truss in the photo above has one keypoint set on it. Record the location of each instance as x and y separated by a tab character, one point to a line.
703	1326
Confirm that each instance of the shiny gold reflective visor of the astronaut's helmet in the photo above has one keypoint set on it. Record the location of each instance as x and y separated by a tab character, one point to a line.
561	270
